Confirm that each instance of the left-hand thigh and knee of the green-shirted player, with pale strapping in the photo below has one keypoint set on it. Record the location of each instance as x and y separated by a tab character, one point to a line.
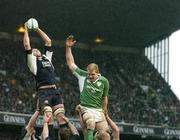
89	121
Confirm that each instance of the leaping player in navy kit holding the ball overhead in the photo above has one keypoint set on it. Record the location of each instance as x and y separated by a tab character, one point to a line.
40	65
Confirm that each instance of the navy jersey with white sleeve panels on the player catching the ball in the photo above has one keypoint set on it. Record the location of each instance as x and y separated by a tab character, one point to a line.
42	67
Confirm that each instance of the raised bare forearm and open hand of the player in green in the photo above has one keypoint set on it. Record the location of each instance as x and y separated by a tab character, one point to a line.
69	56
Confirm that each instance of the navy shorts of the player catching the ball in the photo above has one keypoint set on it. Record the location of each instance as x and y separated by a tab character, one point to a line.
49	97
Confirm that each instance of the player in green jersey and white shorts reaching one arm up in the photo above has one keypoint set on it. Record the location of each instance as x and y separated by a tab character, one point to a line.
94	90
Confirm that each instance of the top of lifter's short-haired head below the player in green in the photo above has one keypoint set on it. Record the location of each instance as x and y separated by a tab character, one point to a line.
102	135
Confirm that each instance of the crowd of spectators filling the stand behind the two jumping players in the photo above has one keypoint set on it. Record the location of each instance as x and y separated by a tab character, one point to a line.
138	93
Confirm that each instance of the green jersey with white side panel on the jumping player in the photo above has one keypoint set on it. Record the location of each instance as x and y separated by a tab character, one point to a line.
91	93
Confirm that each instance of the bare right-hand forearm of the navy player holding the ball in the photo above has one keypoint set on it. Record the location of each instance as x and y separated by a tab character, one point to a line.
45	37
